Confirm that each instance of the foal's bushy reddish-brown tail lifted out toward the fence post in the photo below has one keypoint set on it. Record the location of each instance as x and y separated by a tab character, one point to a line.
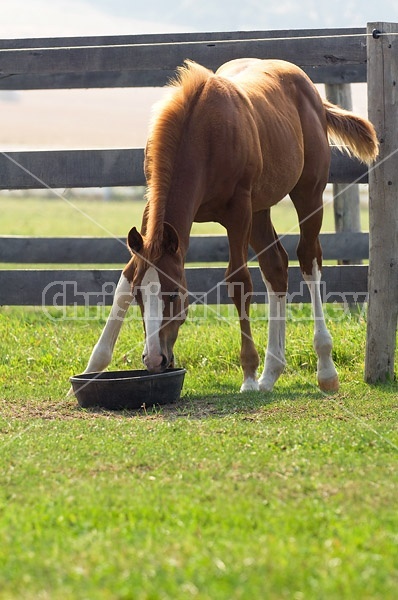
357	135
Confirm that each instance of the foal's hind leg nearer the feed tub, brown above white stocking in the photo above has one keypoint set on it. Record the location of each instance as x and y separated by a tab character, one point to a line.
273	264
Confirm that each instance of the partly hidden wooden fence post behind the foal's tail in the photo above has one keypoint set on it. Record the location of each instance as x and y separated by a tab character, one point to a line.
346	206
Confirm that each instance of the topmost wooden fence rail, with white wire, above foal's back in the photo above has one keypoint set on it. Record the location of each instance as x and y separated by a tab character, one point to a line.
327	55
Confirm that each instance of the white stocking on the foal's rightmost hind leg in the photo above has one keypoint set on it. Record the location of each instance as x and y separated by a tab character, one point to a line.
327	374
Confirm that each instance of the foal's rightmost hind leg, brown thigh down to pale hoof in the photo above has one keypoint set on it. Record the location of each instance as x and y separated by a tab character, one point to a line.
309	254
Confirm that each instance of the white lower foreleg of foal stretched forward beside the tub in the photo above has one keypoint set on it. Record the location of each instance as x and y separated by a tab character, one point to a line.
102	353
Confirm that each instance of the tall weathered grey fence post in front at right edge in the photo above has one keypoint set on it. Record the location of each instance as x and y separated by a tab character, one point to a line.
383	203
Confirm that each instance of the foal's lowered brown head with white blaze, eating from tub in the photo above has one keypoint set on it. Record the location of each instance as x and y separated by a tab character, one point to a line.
159	287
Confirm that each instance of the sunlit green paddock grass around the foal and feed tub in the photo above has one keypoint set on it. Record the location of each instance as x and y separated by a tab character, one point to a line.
221	496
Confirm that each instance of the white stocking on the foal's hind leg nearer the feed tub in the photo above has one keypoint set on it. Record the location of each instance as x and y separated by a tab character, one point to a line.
275	362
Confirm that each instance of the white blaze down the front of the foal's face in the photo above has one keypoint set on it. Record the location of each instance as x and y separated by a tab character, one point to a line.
153	316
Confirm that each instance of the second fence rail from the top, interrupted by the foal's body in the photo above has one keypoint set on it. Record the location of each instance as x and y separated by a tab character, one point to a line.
112	168
